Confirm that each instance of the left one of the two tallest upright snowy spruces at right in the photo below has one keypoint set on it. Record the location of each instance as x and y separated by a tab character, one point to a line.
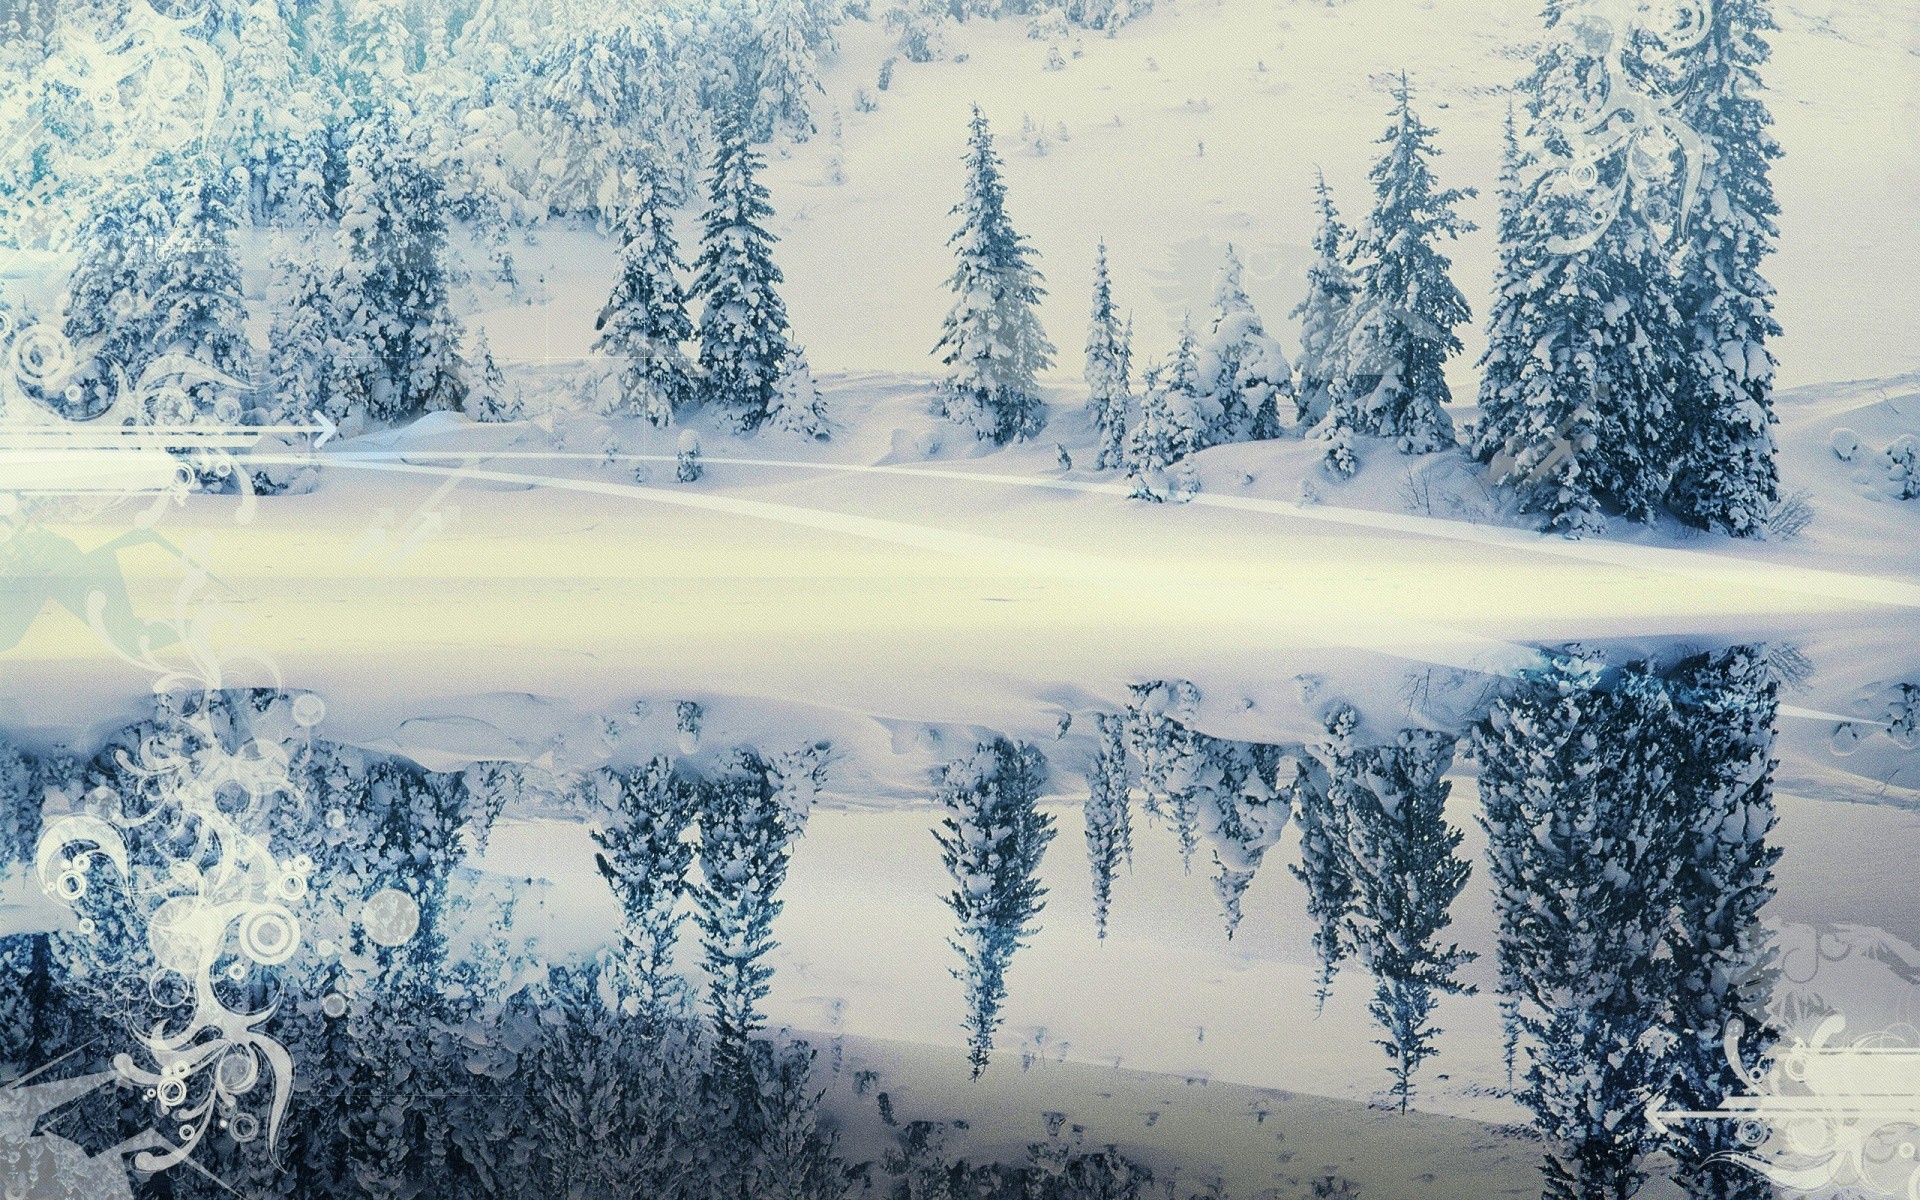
1575	391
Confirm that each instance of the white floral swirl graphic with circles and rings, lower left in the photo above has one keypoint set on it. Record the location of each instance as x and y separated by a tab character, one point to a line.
220	907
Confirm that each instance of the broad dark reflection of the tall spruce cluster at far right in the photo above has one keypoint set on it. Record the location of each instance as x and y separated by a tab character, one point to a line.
1627	815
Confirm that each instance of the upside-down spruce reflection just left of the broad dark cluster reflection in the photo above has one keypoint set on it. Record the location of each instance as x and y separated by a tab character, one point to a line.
1401	861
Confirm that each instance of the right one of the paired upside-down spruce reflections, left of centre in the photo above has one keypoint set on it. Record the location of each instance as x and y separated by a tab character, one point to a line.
752	815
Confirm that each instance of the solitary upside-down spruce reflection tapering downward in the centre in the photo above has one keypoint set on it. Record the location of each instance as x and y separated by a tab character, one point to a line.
992	842
